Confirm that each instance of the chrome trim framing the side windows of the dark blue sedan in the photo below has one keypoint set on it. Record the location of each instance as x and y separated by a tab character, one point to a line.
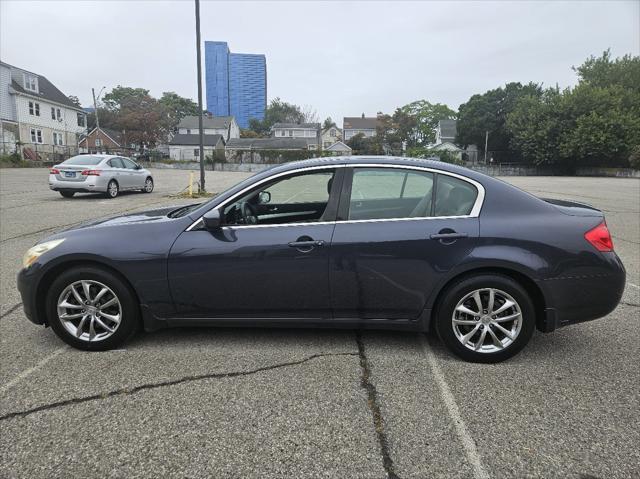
475	211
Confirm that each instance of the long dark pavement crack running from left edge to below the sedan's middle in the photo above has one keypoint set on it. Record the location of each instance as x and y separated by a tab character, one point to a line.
174	382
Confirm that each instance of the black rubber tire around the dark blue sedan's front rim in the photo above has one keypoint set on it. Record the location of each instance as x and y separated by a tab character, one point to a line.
129	318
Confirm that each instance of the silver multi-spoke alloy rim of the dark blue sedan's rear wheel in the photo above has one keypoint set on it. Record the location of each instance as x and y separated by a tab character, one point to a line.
487	320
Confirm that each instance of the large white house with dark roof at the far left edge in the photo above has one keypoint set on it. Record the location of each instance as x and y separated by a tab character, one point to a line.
38	115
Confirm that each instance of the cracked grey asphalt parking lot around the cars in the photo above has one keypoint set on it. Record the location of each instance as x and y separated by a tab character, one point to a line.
312	403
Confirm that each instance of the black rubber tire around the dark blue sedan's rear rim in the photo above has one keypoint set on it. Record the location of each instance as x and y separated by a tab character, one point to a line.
456	292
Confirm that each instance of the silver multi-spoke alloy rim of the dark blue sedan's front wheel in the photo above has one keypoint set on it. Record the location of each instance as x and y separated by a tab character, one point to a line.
89	310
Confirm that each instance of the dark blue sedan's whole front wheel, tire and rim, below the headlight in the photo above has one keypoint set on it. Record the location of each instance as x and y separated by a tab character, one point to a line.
92	309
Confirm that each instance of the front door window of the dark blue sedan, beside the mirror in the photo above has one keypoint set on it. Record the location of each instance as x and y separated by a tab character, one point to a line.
301	198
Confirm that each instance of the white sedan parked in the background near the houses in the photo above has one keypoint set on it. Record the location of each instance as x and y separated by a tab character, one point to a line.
109	174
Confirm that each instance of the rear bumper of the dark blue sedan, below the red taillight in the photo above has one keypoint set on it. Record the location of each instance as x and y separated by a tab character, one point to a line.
581	298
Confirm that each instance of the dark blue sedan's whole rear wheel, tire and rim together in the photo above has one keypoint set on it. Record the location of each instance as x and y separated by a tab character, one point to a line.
486	318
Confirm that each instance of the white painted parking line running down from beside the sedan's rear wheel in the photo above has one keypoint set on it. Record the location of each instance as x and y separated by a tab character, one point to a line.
468	443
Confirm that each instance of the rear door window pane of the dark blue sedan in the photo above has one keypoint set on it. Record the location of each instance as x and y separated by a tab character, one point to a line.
385	193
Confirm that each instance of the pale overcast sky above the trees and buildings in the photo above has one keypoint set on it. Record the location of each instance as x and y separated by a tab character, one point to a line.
339	58
